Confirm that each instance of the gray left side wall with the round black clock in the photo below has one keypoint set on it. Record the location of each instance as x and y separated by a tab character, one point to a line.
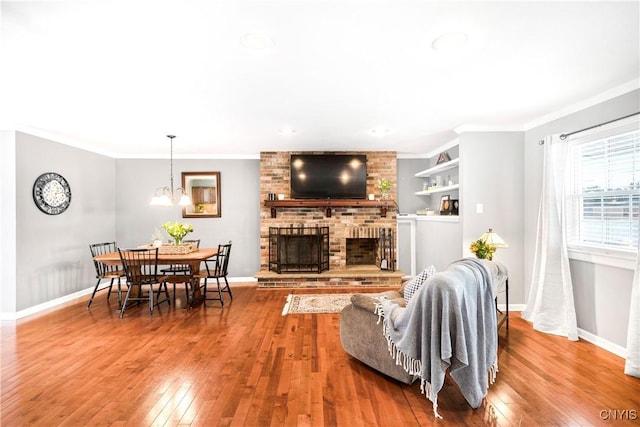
52	251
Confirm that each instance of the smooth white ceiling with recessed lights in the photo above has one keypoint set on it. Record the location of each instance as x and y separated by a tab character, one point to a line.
117	76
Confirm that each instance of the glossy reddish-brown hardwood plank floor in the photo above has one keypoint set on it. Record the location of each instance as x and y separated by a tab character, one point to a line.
247	365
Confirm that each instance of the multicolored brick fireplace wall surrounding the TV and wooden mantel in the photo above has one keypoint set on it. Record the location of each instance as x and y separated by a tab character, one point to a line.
360	224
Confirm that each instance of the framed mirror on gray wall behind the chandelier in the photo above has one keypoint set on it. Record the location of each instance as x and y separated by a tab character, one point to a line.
204	190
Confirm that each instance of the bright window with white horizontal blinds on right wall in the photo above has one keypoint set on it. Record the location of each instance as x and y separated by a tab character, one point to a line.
604	192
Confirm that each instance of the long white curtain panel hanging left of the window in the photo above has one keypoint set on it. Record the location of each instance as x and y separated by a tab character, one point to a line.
550	305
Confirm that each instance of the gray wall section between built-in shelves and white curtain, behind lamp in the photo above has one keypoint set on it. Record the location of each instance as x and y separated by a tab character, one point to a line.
491	174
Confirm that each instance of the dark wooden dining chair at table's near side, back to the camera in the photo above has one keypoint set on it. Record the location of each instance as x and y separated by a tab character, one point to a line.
141	269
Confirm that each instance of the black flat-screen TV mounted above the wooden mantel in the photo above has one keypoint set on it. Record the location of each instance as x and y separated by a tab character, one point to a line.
328	176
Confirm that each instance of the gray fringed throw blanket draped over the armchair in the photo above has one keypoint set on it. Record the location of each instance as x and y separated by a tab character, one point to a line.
450	323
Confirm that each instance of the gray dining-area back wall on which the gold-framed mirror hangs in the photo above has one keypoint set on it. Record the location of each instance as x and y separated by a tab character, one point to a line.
136	181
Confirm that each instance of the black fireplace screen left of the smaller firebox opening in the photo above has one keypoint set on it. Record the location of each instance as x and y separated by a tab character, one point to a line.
298	249
